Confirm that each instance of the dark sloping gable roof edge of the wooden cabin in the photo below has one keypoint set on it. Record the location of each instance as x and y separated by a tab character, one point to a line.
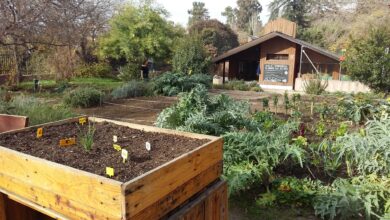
269	36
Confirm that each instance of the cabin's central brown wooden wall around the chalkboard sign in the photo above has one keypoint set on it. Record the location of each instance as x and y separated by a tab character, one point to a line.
278	46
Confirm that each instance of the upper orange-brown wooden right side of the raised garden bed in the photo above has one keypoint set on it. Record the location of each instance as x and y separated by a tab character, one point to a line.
147	189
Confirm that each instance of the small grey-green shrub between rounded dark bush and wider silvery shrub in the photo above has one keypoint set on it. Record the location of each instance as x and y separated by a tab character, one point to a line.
132	89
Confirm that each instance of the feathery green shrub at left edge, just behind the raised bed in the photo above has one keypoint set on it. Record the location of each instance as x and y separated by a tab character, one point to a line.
38	112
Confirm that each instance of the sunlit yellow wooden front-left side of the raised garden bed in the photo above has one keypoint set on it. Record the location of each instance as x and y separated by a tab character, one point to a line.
72	192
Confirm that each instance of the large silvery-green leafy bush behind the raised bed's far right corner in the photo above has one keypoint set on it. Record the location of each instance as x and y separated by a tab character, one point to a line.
197	112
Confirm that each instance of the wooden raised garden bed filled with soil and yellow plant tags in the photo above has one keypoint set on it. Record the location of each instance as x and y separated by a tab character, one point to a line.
71	183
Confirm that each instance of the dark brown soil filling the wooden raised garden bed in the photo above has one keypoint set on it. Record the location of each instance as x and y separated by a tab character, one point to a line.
164	148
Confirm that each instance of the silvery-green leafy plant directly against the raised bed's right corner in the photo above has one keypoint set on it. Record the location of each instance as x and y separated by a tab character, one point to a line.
251	157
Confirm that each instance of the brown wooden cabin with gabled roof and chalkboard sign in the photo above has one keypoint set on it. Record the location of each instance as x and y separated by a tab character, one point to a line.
276	59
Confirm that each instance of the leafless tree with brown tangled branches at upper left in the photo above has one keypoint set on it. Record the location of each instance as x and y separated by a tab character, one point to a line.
27	25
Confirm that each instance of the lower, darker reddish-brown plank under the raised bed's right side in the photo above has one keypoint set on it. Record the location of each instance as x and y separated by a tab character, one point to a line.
175	198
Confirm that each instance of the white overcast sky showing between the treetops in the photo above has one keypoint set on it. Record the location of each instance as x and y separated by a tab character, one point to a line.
178	9
